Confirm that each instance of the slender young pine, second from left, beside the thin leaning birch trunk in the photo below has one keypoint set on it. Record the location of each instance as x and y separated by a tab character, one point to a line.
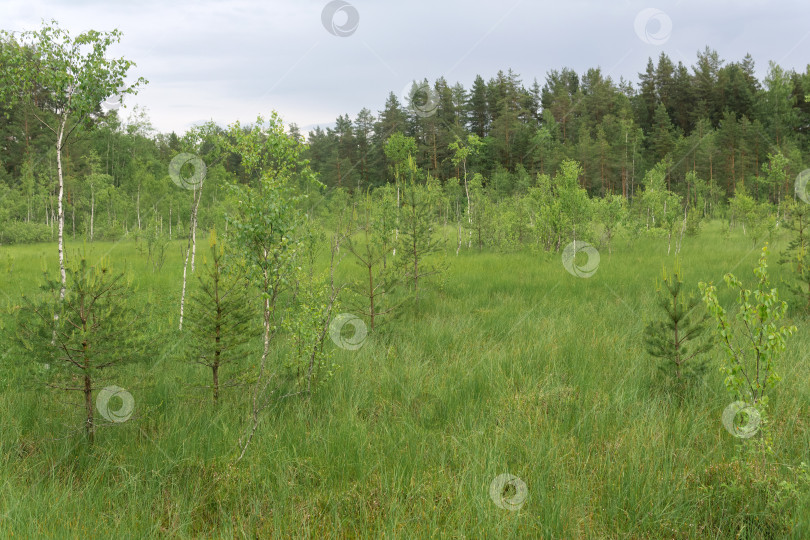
219	316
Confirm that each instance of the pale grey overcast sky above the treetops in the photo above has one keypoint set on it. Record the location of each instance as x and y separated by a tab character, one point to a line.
232	60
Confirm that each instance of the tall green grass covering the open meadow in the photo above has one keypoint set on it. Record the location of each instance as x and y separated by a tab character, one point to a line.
511	365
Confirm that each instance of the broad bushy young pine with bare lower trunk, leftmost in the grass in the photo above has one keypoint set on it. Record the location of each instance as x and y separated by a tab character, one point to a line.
98	329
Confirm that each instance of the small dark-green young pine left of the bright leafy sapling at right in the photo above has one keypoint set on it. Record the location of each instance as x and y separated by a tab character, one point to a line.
679	338
